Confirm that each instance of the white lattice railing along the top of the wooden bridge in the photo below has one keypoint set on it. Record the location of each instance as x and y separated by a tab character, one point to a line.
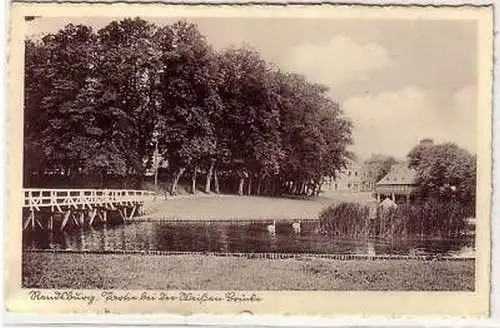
36	198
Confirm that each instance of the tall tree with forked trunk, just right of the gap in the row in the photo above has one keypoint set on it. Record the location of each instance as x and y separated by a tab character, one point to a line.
188	97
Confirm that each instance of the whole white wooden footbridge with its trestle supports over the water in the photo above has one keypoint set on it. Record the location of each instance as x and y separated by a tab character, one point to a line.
43	207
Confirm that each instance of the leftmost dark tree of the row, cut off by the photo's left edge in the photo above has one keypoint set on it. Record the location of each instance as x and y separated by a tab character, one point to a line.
57	69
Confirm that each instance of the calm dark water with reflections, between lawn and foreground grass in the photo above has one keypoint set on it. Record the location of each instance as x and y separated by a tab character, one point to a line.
227	237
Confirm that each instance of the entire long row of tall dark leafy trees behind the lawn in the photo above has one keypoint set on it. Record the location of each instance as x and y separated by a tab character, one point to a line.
97	102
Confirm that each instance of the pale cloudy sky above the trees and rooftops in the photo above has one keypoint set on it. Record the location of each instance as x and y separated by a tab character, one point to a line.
399	81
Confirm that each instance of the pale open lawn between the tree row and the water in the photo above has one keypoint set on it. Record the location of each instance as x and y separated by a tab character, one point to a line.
224	207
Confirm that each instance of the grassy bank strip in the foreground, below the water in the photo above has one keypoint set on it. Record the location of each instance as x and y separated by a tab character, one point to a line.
43	270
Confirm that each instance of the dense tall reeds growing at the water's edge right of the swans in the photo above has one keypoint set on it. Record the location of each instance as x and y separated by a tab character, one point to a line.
431	218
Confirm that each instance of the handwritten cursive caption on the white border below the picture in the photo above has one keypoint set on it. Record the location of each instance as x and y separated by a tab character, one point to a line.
149	296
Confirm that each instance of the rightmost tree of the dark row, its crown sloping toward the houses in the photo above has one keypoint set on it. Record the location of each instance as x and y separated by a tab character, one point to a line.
315	134
